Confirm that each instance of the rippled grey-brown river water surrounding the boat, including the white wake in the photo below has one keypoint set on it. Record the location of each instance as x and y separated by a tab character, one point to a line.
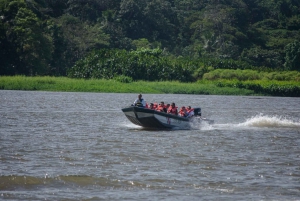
80	146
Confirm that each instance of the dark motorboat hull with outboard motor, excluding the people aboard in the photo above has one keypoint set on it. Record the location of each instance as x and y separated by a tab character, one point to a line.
149	118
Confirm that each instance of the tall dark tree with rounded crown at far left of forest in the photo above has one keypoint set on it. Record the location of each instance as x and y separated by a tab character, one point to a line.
33	47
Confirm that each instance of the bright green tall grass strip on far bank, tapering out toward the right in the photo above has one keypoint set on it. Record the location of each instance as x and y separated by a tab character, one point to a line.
114	86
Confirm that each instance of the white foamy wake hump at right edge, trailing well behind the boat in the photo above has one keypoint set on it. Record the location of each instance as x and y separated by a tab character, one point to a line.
270	121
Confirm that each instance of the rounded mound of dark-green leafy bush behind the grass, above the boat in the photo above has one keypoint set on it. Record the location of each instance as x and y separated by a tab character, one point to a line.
142	64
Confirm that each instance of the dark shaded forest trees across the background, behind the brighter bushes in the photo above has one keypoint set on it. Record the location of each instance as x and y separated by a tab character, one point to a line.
48	37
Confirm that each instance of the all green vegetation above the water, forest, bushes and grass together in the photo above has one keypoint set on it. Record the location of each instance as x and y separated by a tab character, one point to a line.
178	46
